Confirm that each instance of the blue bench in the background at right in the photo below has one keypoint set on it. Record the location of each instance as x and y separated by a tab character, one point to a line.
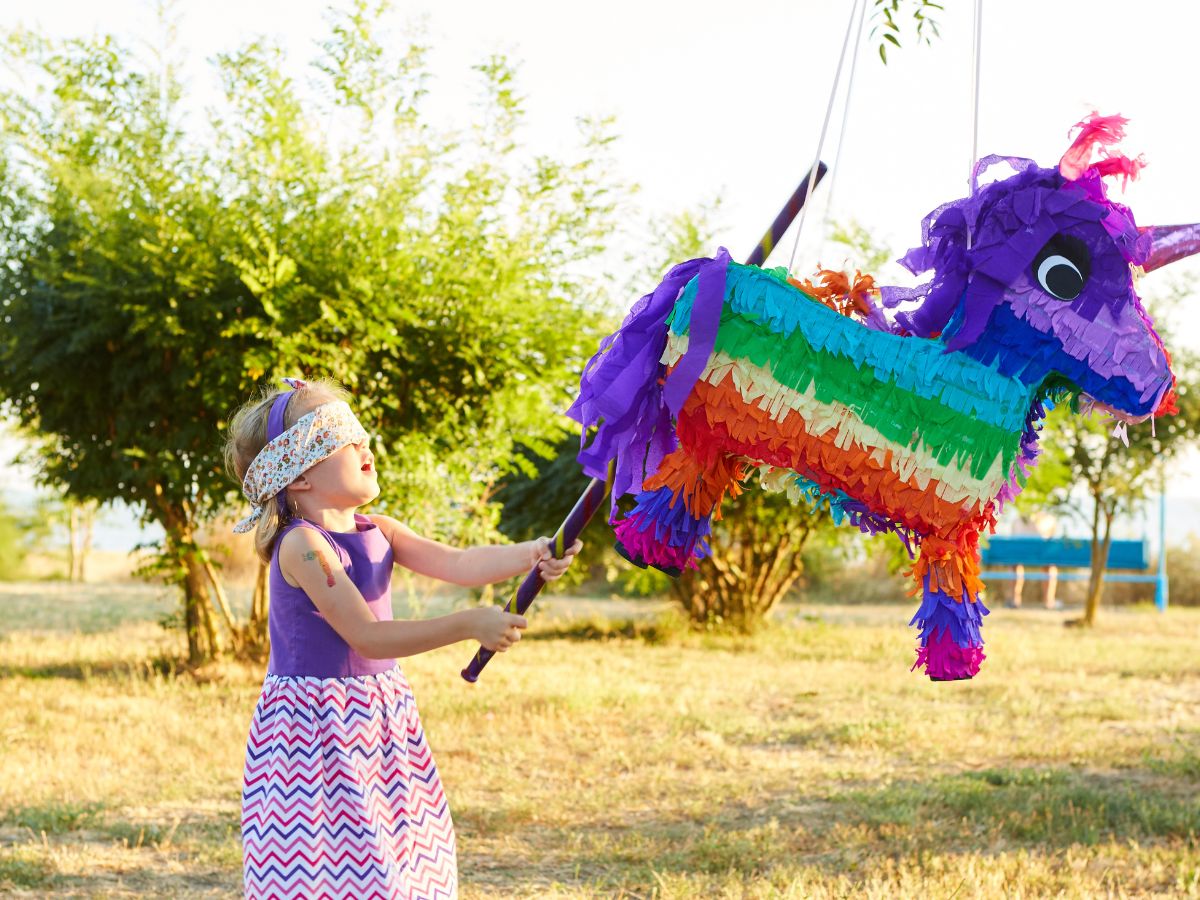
1073	554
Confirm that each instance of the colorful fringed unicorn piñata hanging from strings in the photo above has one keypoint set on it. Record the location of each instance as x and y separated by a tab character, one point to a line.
922	423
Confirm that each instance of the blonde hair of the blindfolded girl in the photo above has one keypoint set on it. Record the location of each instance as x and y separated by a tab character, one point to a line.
248	437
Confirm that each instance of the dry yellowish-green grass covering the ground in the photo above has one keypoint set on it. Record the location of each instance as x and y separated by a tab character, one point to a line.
617	758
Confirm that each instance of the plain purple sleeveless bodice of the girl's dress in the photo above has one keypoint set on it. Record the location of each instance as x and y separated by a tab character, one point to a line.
303	644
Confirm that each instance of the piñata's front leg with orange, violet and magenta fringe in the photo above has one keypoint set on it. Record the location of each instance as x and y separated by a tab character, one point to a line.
950	619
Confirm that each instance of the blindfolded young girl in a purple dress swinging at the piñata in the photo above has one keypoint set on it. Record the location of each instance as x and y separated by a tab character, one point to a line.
341	797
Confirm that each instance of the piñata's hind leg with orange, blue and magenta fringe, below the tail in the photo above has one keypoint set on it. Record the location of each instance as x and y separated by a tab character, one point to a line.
671	521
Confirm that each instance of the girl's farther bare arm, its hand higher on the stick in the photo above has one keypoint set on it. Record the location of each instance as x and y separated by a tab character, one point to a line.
473	567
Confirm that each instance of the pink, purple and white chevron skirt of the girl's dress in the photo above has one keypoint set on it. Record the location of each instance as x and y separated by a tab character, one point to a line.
341	797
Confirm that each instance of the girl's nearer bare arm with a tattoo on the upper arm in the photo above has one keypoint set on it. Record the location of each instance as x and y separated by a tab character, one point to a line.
308	562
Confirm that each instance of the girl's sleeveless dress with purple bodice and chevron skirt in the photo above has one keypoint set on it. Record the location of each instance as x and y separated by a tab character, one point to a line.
341	796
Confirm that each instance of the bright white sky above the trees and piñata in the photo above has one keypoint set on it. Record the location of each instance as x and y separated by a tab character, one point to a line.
728	99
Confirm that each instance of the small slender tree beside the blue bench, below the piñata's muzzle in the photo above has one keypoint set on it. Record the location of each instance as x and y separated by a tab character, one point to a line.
1081	453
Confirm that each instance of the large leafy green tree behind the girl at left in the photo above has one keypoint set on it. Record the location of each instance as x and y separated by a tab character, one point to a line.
157	278
